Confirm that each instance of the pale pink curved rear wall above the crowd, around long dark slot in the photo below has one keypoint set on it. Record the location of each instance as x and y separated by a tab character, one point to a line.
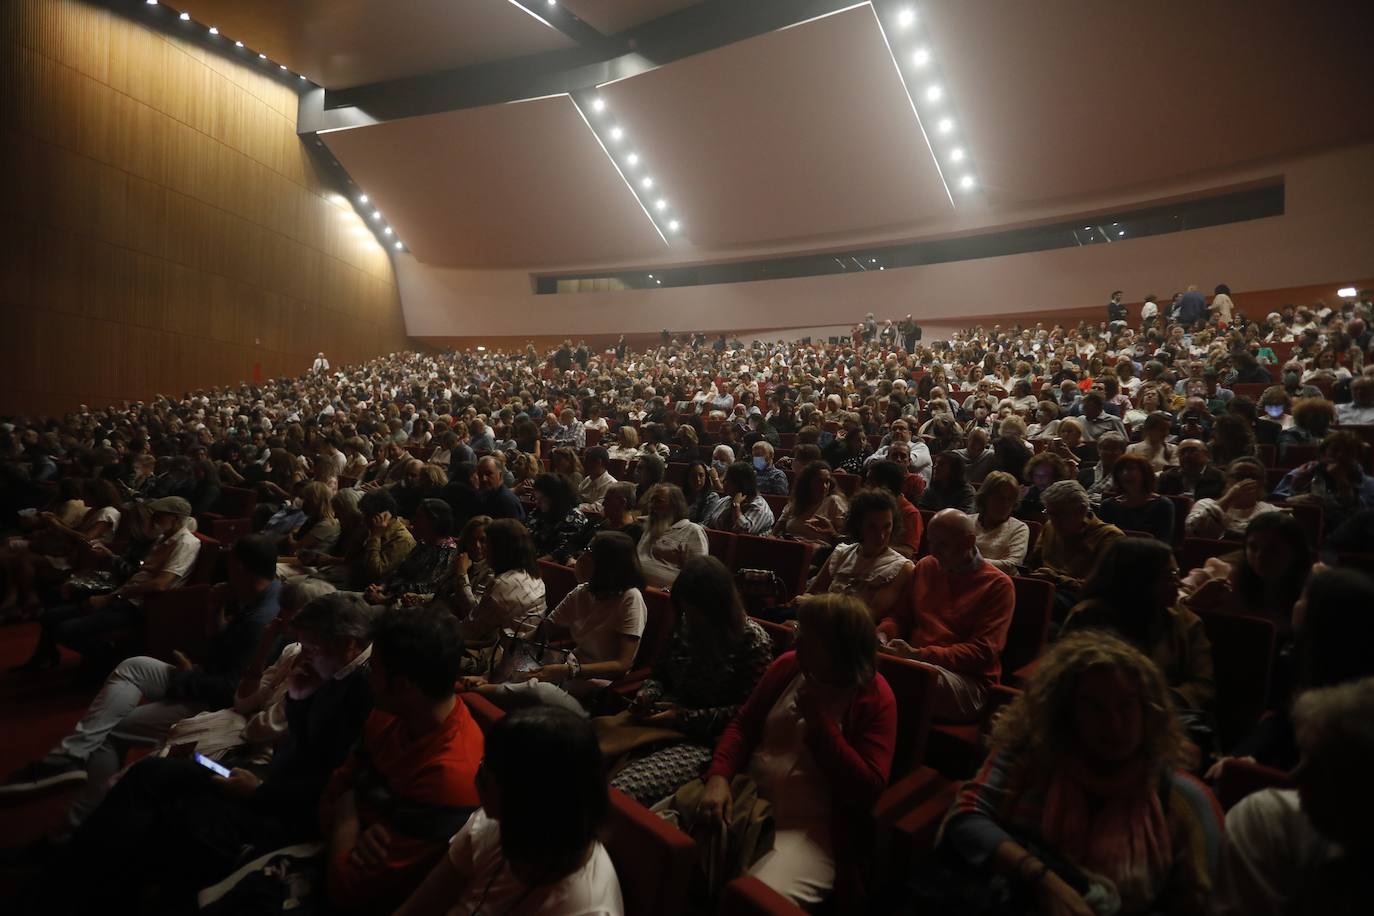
1325	236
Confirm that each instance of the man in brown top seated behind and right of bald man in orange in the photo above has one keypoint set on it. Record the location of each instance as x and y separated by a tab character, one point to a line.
1071	543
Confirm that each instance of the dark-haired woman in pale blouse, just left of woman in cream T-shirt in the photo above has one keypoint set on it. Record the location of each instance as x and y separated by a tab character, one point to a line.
516	597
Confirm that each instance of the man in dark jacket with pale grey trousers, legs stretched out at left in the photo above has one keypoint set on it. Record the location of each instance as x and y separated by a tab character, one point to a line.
168	693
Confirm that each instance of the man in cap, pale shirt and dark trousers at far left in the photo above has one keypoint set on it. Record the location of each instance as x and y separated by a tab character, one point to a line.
85	627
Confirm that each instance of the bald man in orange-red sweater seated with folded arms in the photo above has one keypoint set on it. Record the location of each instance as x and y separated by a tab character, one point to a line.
957	619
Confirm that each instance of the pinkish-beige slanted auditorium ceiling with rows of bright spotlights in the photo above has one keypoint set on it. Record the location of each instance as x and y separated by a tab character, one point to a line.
789	126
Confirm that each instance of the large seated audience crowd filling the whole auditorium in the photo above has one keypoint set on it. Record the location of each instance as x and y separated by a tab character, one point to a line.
499	524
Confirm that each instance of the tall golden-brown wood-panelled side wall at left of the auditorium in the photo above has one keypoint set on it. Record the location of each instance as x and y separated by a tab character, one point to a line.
163	227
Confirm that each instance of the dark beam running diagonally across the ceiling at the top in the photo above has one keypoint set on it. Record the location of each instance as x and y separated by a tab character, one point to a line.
596	61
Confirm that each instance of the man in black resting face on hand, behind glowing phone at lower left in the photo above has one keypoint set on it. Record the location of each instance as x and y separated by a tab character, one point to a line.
174	825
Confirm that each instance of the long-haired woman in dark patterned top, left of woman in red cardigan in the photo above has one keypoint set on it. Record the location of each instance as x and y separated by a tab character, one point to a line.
712	663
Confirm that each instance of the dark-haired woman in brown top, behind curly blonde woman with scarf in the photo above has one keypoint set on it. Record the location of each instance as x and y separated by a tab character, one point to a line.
1134	593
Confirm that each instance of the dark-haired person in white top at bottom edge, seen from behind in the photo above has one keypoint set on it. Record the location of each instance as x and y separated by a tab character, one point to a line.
512	856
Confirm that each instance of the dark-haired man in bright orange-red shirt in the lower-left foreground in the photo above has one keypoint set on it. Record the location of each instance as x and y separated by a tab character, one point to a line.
410	785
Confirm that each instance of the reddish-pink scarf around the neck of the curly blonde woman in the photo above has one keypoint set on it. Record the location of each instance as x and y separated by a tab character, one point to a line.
1112	825
